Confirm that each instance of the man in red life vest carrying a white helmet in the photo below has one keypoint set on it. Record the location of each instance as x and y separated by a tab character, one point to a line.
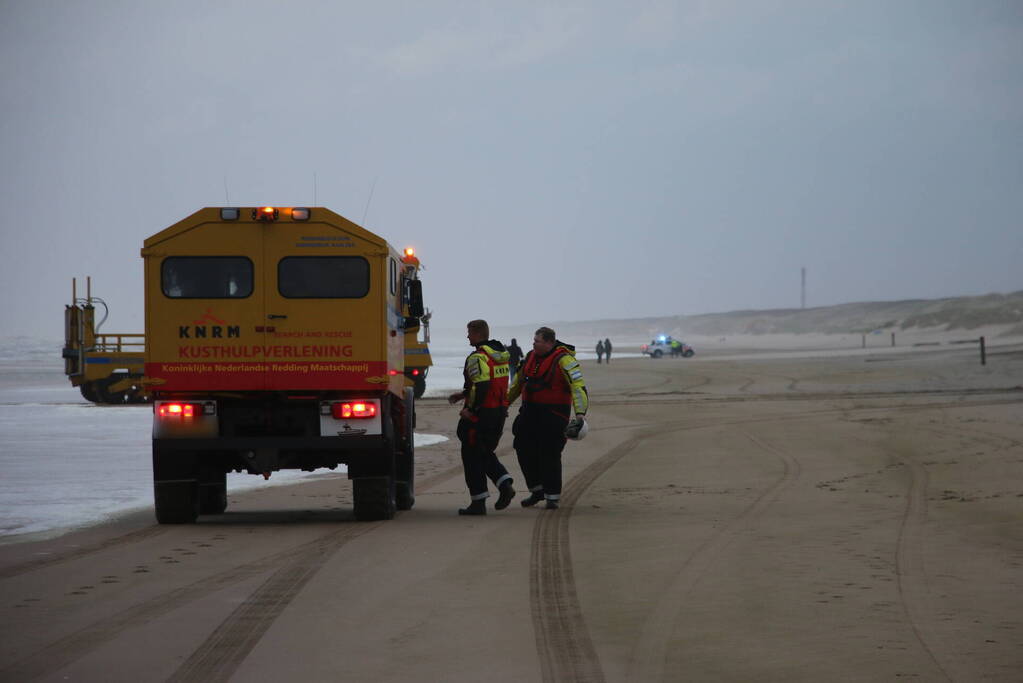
552	388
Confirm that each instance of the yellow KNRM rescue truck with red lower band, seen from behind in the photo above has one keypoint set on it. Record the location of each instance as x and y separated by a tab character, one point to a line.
276	340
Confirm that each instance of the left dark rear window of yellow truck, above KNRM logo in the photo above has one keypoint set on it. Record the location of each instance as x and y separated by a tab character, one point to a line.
207	278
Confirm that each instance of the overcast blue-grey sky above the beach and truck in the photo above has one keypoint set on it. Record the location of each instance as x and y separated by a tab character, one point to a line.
550	161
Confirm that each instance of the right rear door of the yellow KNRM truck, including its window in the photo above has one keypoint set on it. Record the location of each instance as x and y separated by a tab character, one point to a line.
324	315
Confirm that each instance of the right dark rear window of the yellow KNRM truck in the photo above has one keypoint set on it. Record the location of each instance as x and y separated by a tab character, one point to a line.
324	278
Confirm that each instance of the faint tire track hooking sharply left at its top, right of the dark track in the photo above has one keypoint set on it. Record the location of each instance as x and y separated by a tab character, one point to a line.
647	663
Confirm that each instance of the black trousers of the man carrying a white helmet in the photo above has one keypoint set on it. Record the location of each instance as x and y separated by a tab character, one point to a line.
540	440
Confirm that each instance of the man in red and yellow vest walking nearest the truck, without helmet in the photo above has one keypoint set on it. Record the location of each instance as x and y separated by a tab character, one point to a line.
482	419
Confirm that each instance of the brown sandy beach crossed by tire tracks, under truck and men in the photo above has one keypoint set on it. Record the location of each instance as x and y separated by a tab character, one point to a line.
804	517
